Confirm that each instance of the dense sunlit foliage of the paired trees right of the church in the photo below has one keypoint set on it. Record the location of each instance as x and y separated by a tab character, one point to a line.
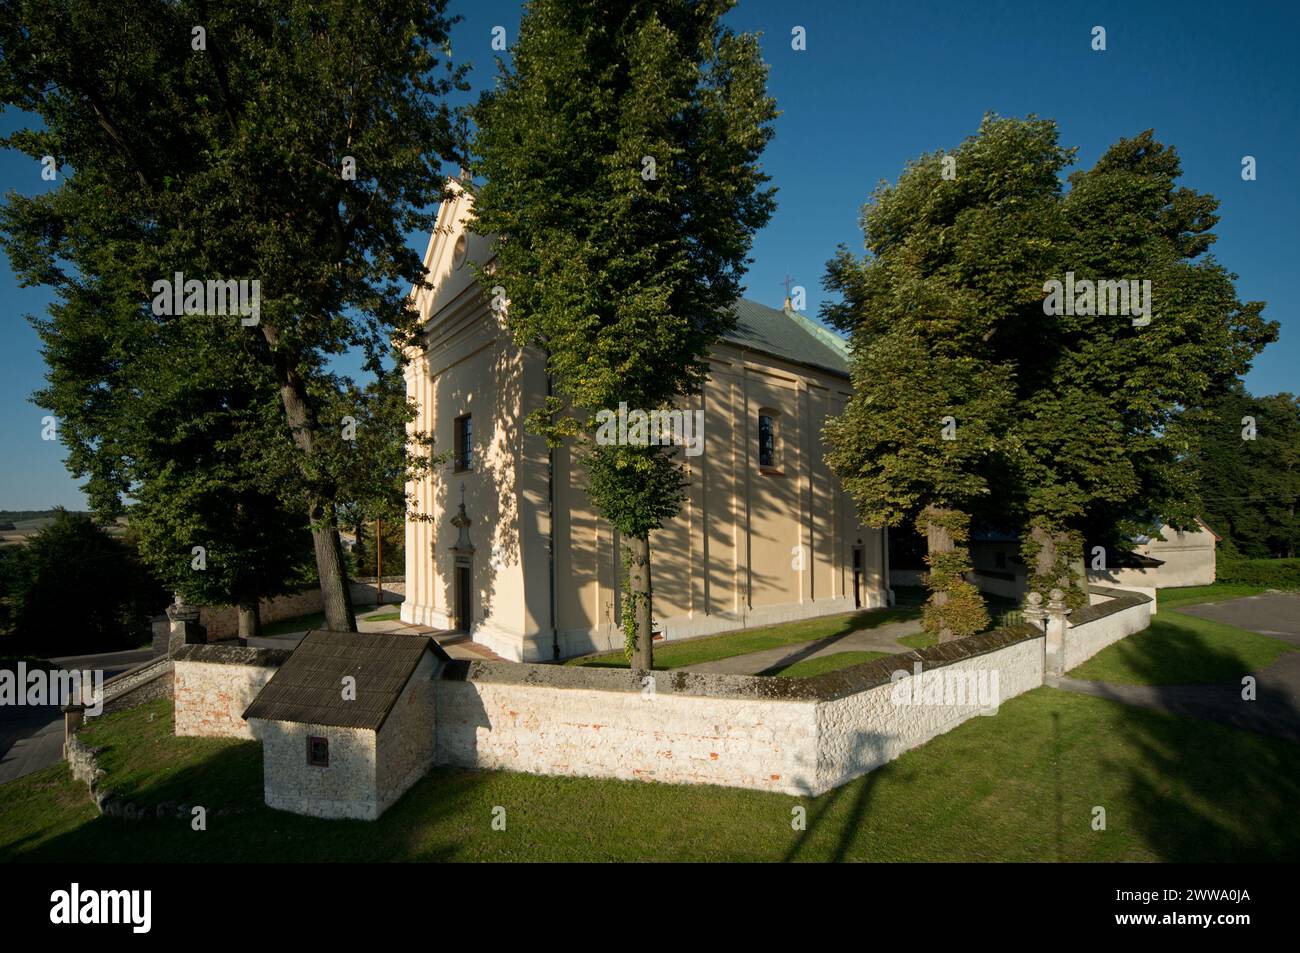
1080	421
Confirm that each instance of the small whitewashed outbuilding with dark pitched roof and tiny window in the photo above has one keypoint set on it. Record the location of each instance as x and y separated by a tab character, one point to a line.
348	724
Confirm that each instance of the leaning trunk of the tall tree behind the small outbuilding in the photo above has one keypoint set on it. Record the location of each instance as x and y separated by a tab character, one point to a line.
336	594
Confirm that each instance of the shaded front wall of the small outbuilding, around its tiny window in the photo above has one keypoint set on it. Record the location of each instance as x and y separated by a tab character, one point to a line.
346	789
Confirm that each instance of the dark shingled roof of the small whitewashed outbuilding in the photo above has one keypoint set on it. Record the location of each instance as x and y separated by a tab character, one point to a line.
309	688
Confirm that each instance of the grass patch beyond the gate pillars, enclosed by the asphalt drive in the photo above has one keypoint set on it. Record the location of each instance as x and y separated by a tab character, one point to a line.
1182	651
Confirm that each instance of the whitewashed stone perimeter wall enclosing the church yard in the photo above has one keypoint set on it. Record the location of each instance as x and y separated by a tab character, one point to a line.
796	737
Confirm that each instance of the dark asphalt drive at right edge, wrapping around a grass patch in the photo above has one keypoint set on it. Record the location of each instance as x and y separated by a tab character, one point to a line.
1276	709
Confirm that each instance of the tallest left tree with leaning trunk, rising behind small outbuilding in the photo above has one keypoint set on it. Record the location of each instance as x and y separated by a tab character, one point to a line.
291	144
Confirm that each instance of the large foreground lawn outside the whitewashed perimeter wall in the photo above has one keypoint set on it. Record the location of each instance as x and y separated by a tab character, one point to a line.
1020	786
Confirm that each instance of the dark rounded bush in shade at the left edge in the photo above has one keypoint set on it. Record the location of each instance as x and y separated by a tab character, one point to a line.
75	590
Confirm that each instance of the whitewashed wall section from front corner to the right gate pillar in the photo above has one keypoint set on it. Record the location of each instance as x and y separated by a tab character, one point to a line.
870	729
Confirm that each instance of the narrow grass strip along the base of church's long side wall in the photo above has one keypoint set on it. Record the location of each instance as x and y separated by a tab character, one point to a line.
713	648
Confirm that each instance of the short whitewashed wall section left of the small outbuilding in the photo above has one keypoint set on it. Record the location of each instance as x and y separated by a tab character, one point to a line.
211	698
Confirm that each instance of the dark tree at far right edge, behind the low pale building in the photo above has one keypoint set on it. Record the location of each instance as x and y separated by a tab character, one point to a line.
1251	473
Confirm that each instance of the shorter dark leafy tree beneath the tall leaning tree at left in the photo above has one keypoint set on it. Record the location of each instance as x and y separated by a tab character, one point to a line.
197	444
